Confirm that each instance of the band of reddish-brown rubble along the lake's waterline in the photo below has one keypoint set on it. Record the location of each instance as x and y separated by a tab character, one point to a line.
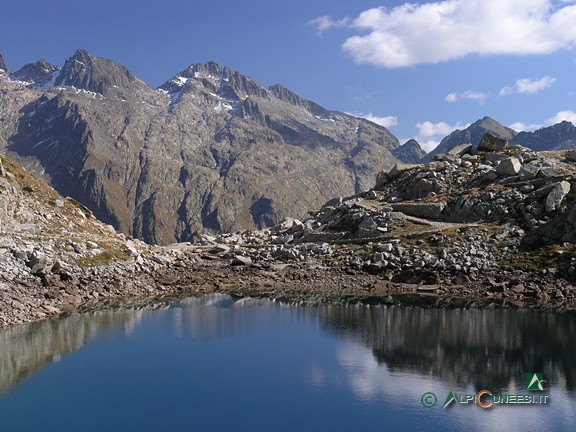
193	273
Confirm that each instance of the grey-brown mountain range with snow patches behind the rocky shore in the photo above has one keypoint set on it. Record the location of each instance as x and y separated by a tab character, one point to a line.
209	150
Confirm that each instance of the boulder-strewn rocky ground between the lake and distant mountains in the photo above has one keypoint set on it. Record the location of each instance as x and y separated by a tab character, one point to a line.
493	229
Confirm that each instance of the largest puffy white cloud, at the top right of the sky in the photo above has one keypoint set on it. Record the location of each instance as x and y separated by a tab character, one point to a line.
412	34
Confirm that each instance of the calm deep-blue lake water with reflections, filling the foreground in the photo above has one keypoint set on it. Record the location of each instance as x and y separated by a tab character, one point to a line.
214	364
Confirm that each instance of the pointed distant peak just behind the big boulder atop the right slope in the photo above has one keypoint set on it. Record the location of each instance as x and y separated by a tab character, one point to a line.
471	135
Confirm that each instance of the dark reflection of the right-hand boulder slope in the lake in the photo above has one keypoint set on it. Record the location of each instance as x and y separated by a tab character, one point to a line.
483	348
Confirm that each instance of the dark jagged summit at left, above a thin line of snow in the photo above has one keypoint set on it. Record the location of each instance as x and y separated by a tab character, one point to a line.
94	74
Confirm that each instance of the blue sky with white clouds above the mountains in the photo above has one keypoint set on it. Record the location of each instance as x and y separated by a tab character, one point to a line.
422	69
